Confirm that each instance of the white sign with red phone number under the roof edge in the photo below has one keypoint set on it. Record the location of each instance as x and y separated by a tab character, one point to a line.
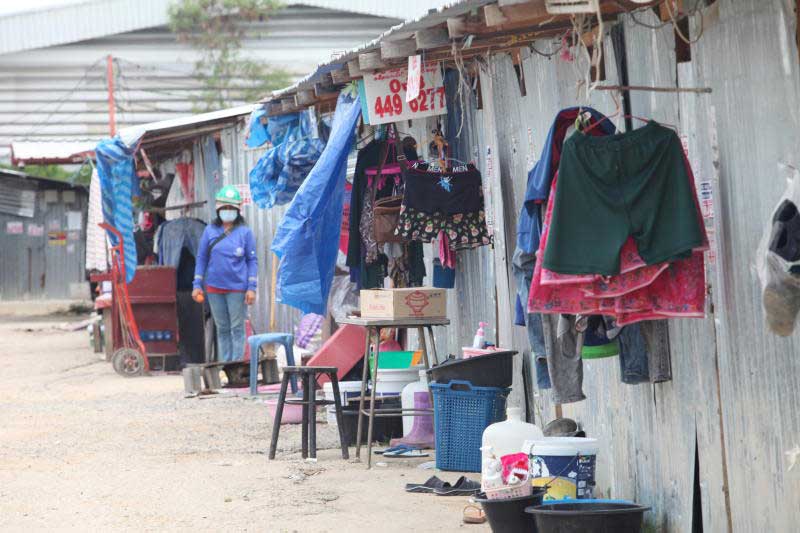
386	95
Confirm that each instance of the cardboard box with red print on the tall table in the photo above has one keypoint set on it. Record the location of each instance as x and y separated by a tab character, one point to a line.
418	302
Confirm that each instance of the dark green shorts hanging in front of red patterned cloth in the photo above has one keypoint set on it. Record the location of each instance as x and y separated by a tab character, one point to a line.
631	184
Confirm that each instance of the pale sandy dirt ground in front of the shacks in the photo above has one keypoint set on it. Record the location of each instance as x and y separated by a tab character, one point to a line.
84	449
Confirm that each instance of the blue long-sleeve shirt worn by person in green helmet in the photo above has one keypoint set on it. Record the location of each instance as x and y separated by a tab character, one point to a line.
232	264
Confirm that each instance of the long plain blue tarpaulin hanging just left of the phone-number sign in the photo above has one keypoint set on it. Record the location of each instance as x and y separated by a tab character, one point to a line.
307	240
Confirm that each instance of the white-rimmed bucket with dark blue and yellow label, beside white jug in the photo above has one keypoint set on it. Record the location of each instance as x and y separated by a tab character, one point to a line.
565	464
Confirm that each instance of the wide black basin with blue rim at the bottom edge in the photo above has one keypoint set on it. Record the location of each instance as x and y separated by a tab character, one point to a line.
589	517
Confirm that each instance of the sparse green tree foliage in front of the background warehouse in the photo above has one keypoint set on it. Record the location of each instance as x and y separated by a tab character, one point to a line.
216	29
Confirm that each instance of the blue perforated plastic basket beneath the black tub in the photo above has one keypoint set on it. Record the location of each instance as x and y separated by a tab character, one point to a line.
460	413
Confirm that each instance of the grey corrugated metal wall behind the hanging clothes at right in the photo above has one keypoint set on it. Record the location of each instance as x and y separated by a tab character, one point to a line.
731	410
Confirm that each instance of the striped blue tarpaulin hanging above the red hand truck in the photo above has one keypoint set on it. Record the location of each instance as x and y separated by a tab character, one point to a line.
117	183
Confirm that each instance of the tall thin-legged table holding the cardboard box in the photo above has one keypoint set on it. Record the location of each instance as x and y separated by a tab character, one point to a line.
374	327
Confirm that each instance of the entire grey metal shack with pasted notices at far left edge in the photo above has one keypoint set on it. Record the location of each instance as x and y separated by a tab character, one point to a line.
42	238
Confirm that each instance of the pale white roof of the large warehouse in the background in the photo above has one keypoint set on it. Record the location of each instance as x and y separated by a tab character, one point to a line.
92	19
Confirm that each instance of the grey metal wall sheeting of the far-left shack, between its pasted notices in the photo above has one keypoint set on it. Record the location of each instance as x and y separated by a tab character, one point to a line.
33	266
